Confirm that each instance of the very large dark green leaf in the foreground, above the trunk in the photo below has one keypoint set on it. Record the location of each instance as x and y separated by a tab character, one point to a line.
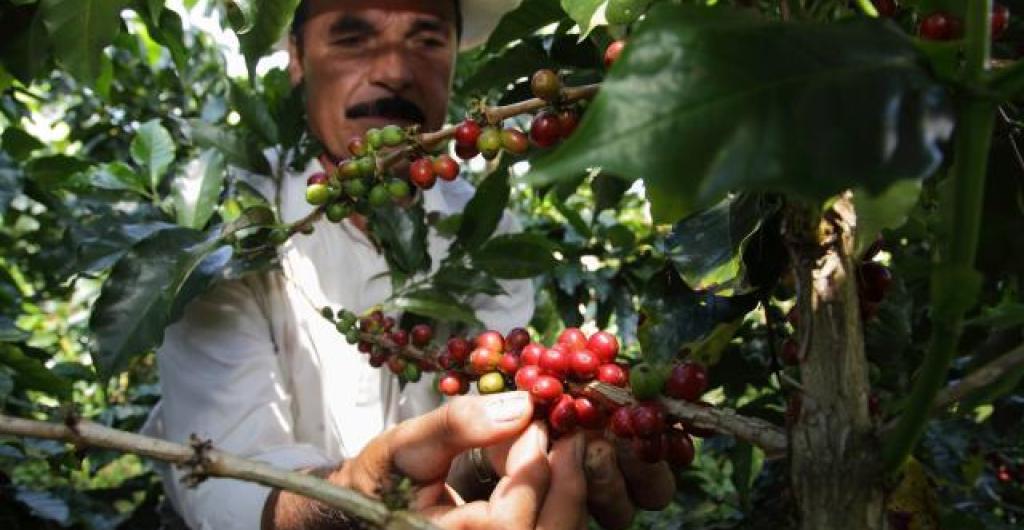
709	101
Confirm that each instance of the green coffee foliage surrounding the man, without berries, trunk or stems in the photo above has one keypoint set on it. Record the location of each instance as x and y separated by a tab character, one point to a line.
129	163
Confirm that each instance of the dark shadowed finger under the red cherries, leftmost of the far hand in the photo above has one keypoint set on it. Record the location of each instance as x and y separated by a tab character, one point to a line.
608	498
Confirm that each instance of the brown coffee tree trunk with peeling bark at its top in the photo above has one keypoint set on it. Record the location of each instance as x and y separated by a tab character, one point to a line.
835	459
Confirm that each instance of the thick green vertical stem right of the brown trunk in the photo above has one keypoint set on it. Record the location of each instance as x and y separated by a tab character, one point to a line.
955	283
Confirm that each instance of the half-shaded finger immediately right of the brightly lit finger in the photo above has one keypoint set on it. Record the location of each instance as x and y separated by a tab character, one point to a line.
564	507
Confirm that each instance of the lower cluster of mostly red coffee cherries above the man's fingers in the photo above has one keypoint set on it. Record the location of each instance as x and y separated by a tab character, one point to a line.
560	379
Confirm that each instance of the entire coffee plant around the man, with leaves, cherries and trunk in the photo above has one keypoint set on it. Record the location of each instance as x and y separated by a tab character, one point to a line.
775	244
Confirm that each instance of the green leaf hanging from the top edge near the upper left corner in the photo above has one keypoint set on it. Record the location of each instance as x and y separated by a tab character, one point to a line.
80	30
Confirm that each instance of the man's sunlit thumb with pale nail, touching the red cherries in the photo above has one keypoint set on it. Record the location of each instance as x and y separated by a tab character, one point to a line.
424	448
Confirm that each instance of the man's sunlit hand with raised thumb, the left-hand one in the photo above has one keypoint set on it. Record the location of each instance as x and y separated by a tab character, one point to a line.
538	491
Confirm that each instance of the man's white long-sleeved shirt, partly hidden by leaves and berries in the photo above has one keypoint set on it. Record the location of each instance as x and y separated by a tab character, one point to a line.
253	367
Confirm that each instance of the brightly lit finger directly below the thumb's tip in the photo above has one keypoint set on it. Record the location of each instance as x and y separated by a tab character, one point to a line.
518	498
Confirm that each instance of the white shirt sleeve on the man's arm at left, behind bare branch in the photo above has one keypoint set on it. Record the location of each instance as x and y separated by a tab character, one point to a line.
223	381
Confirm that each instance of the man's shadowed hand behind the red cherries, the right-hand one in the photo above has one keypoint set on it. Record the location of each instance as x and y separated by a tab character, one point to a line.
619	483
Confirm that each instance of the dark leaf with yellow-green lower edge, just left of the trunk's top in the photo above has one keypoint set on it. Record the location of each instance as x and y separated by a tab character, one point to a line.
707	248
